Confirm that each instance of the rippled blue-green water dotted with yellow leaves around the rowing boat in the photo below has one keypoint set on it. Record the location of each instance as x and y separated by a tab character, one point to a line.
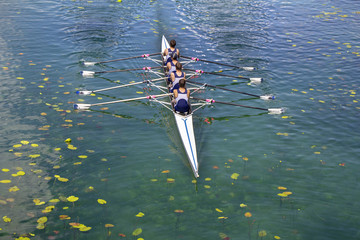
130	155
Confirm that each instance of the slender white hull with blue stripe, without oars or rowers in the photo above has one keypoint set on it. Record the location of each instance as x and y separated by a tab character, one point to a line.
184	123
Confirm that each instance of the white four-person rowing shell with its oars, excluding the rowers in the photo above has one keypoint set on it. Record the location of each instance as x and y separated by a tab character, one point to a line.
184	120
